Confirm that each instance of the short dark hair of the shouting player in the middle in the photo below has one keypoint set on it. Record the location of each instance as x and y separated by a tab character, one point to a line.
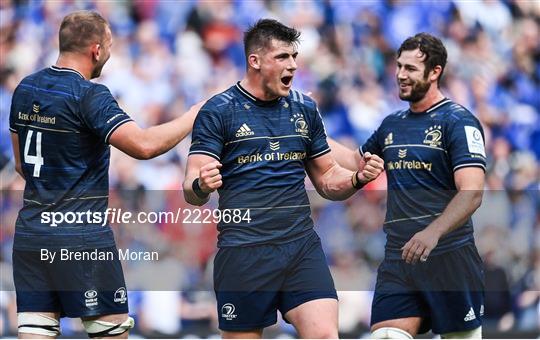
263	31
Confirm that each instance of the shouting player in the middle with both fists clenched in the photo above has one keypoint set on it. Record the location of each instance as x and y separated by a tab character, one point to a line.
253	143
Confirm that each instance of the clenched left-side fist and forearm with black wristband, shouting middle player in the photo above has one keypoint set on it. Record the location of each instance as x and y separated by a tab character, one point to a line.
202	178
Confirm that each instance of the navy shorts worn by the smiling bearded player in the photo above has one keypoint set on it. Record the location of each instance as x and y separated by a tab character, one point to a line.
447	291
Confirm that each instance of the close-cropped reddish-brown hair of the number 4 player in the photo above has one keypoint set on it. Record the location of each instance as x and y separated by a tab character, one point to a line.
80	29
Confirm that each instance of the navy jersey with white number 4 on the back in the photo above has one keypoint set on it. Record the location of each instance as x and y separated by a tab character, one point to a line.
63	123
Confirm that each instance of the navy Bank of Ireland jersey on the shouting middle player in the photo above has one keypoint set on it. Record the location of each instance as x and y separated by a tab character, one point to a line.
263	146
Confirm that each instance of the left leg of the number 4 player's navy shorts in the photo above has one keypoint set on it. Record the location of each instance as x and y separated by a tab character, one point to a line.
34	289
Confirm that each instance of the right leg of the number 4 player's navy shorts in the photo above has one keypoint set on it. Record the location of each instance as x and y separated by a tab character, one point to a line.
89	288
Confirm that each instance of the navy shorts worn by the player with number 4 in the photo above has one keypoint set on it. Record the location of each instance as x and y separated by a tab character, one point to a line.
75	288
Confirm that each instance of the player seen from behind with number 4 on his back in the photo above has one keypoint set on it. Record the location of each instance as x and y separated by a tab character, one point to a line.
61	126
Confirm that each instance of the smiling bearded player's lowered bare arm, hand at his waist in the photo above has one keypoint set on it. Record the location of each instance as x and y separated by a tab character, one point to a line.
470	185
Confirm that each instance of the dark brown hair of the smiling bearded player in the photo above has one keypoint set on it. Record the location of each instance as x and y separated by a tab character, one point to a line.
431	46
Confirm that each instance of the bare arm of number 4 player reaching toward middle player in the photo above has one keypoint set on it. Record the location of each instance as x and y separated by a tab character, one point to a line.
156	140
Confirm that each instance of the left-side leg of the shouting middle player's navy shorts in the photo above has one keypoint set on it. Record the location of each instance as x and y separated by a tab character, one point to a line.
247	282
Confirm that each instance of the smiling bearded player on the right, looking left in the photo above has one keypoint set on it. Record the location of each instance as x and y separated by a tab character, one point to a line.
432	276
